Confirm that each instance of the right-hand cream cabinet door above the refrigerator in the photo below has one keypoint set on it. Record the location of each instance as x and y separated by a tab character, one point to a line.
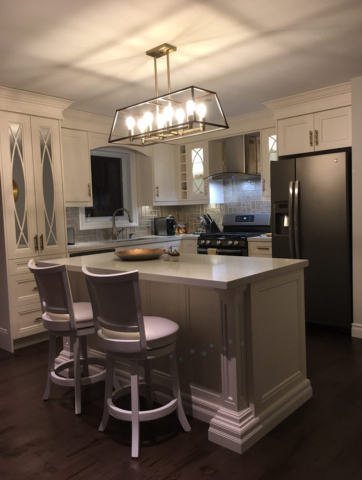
333	129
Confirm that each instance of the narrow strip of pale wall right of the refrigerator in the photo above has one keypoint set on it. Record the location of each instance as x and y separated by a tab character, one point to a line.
356	204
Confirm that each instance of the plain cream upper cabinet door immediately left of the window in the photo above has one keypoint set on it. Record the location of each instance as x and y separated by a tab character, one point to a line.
77	168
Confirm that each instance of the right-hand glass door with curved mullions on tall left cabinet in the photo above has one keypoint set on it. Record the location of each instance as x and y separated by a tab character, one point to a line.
48	185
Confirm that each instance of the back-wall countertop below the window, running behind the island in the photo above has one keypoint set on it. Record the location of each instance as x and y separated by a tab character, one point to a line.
104	244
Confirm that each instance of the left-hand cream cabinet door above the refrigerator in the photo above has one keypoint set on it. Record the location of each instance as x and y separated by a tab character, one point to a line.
295	135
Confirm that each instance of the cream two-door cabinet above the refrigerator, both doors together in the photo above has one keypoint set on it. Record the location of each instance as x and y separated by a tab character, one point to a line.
315	132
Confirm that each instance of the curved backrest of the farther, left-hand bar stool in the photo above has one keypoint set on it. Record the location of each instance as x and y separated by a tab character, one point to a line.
55	295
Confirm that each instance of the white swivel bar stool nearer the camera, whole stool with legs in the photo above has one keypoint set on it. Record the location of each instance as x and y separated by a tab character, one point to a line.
125	334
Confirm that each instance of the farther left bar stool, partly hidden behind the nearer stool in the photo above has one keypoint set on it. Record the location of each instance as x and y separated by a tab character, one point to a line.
63	318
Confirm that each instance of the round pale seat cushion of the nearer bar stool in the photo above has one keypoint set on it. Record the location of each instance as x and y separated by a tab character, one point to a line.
159	332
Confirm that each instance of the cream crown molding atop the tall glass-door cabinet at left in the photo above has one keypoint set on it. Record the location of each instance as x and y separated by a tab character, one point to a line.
21	101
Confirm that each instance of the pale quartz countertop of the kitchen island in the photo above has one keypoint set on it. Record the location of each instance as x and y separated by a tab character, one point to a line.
213	271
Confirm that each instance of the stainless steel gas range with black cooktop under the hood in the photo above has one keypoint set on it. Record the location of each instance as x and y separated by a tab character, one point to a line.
233	240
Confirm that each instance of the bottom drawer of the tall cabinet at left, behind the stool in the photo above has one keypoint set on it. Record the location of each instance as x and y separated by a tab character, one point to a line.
26	321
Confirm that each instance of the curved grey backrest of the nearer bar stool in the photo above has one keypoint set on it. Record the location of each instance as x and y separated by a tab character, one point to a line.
116	303
